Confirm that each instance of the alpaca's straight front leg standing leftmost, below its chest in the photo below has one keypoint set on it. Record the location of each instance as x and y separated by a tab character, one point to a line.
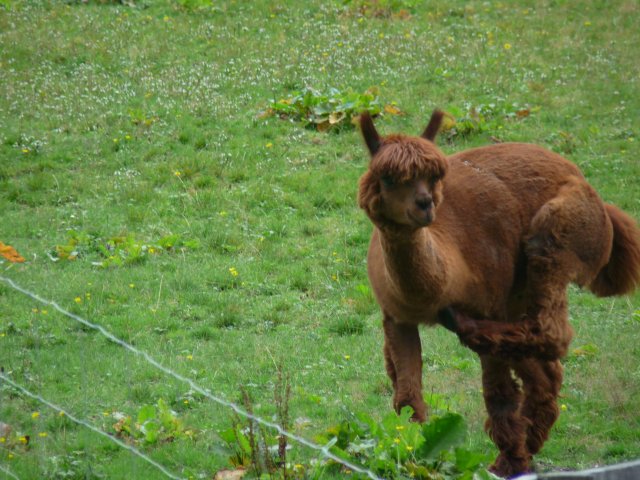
403	358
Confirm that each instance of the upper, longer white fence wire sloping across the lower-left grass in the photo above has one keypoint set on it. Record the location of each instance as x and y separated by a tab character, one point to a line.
324	450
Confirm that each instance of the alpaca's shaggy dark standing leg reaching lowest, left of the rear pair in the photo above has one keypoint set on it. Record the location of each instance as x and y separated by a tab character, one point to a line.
505	425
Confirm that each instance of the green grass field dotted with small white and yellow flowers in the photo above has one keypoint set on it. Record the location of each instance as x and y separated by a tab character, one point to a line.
235	246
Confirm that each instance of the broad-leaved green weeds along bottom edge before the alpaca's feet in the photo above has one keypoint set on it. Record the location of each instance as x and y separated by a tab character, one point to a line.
394	448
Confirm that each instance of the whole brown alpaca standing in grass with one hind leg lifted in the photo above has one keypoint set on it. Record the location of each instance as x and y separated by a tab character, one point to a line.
485	243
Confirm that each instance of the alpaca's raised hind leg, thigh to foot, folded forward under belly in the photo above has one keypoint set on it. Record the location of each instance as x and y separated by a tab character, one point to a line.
565	244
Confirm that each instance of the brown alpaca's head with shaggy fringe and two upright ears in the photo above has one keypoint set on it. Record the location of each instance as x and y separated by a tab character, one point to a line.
403	185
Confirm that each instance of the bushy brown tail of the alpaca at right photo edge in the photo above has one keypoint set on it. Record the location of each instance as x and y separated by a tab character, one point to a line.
621	275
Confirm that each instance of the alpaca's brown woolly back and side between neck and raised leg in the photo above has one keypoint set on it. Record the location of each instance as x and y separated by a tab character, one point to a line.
491	195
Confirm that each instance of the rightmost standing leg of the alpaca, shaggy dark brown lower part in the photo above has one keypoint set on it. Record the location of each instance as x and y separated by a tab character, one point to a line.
541	382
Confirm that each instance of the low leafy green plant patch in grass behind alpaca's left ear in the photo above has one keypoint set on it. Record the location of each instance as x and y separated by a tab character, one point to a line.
328	111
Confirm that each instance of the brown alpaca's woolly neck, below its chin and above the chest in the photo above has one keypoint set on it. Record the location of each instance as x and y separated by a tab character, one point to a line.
414	263
